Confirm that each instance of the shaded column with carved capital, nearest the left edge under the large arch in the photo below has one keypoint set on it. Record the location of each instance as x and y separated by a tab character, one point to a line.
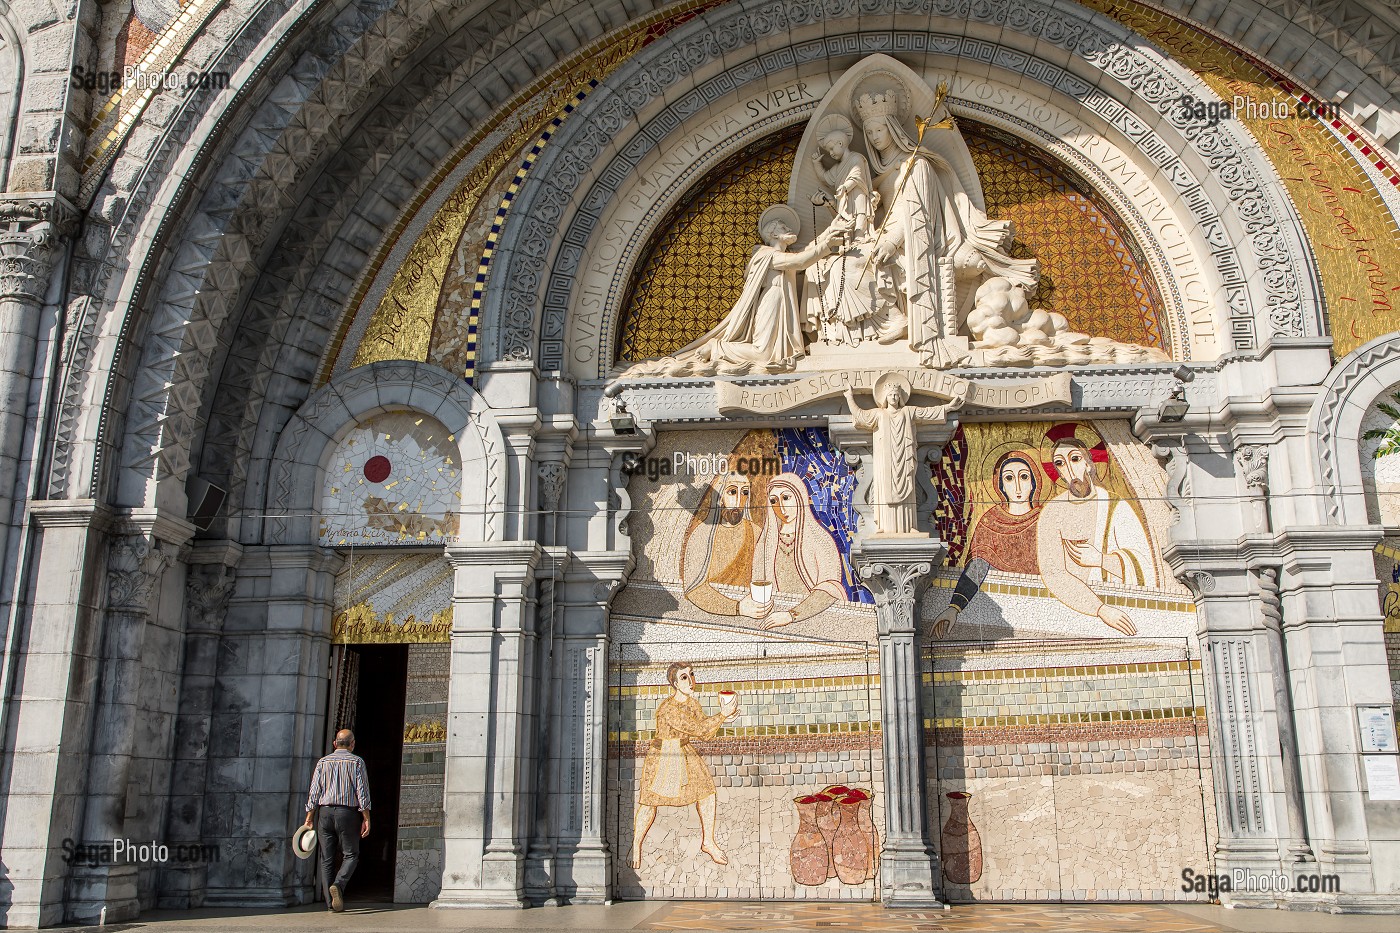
136	564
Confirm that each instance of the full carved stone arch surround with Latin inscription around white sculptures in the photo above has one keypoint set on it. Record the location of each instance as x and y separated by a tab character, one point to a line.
555	284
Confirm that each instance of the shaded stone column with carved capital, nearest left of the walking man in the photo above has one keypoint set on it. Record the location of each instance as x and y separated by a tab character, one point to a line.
209	583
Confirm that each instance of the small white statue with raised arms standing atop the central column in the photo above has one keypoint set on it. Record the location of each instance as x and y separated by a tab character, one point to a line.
895	446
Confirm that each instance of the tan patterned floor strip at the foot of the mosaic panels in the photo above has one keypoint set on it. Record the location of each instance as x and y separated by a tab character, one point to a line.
964	920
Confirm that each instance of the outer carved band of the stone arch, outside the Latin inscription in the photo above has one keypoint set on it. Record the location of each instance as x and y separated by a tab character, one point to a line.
1270	288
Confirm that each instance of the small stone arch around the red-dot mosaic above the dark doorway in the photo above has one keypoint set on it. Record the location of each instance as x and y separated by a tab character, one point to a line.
310	439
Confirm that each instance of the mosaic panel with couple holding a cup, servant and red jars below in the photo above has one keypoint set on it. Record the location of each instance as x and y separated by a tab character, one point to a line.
744	711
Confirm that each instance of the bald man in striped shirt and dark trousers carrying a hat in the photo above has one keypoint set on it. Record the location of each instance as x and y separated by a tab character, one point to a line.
339	788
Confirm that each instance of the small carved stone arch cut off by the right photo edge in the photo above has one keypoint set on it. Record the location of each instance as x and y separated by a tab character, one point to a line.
1335	427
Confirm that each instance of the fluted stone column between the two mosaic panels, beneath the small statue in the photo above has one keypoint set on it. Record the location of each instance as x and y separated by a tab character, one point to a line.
897	571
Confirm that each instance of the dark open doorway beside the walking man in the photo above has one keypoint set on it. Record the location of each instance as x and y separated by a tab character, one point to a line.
379	732
